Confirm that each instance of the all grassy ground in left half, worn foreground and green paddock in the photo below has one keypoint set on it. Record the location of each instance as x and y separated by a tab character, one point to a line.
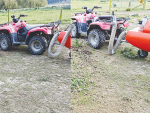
30	83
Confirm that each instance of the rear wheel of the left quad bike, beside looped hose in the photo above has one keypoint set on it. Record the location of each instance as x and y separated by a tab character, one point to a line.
37	45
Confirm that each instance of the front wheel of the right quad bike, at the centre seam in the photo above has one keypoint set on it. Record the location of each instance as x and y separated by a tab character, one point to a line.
74	30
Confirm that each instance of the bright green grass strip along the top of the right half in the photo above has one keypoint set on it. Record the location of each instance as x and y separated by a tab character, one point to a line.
77	5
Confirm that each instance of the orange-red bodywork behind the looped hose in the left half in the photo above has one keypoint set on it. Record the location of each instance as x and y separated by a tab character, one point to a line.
68	42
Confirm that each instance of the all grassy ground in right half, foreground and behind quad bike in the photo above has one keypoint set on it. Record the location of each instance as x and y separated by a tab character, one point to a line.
103	83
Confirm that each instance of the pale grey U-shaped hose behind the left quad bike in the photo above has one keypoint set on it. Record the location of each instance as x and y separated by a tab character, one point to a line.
55	37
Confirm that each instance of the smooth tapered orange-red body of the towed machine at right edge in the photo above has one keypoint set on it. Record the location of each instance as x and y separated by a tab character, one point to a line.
139	39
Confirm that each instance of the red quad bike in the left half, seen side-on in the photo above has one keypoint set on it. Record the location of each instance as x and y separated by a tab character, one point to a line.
18	32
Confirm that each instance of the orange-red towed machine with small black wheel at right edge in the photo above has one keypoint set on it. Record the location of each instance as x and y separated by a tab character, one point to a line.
140	37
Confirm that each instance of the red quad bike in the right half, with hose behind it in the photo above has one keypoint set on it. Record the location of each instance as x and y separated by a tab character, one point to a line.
97	28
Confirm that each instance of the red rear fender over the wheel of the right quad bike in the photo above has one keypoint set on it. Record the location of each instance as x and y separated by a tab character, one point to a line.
101	25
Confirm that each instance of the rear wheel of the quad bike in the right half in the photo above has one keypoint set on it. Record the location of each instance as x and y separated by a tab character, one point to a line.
96	38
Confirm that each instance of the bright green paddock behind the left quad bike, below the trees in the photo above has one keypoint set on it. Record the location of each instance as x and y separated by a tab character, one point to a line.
39	16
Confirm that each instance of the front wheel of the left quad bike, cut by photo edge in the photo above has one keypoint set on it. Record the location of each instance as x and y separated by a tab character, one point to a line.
5	42
